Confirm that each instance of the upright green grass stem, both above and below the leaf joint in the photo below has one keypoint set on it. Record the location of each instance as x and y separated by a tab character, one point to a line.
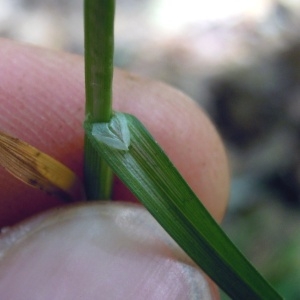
99	50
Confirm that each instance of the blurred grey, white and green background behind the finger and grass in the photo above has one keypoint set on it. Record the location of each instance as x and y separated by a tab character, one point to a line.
240	60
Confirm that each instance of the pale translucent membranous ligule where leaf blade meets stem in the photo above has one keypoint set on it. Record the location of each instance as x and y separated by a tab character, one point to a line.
114	134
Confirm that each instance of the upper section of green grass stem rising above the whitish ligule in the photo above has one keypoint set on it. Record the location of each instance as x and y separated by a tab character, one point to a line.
99	49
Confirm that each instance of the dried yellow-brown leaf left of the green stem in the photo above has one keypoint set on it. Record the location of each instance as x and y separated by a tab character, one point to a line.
39	170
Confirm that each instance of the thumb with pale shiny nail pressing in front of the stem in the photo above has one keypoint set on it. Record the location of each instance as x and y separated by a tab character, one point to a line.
96	251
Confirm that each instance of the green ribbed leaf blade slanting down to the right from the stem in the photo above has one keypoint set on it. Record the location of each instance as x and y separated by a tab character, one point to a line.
151	176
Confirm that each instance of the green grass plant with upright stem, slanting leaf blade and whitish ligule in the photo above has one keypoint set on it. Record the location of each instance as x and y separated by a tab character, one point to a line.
121	141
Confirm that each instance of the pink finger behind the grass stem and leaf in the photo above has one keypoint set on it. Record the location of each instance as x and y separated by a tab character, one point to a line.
42	103
